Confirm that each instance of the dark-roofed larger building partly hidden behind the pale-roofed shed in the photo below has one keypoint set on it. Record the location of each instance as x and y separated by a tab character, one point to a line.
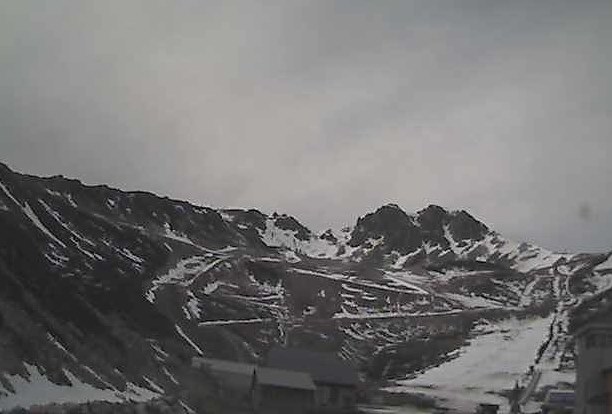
336	380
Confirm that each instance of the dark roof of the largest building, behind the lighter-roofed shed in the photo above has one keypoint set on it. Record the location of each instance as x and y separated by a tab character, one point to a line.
323	367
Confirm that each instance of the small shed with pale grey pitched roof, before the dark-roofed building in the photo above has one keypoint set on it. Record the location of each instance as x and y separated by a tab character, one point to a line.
280	391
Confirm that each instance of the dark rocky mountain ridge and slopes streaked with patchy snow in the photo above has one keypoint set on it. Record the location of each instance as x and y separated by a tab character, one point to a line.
112	292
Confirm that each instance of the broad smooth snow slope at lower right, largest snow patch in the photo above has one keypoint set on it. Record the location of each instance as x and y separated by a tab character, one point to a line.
489	364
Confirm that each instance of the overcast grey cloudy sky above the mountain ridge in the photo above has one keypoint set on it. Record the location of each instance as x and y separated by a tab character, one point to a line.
324	109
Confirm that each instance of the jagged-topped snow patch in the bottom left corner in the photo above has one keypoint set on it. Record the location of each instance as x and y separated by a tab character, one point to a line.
37	389
